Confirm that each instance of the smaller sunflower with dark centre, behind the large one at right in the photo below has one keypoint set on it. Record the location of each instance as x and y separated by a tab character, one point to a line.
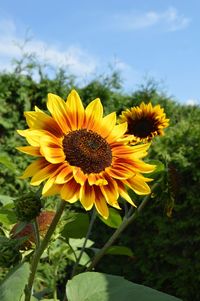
144	122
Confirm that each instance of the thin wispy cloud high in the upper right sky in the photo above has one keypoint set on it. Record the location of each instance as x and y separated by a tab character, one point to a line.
170	20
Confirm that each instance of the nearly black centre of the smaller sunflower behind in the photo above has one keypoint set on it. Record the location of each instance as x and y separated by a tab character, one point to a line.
142	127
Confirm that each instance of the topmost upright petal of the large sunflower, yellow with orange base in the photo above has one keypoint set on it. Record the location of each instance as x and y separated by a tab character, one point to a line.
75	110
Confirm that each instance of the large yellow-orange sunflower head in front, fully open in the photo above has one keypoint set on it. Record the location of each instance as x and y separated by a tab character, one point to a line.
82	155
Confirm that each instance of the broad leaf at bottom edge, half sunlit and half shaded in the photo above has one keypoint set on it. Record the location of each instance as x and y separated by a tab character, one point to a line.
92	286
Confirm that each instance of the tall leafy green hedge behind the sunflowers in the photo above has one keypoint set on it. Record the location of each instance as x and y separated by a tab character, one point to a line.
164	240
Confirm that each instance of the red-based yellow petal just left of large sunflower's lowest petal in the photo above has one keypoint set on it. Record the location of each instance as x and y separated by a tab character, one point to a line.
87	196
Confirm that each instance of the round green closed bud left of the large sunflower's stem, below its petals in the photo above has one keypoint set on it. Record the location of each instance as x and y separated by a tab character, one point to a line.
27	207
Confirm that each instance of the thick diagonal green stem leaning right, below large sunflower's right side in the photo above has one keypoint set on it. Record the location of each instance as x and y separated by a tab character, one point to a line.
126	221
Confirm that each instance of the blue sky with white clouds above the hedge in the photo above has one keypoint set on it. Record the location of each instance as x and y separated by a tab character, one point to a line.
153	39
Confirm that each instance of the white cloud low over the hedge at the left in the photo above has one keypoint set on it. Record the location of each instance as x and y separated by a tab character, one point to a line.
75	59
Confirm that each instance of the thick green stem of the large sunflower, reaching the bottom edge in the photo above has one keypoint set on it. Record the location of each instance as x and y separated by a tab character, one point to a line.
39	251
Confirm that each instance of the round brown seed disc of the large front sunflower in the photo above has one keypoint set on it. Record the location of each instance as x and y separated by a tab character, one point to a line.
87	150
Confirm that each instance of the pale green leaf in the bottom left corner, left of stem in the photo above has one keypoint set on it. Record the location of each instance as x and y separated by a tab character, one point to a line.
13	285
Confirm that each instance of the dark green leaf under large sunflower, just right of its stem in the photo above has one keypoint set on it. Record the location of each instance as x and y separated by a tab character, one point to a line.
77	227
